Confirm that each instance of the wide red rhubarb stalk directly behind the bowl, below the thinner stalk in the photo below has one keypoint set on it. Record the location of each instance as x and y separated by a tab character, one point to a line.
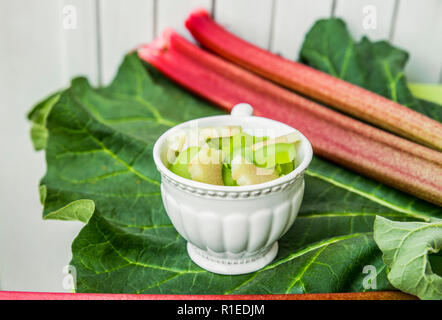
370	151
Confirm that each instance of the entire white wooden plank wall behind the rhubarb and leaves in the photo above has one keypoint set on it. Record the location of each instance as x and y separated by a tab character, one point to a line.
38	56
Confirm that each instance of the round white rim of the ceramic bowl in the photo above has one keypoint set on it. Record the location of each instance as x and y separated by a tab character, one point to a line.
298	171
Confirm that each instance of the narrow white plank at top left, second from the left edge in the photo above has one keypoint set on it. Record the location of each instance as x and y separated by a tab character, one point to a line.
79	40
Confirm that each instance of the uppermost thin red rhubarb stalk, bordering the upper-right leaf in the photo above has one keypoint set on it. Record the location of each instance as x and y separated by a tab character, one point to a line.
318	85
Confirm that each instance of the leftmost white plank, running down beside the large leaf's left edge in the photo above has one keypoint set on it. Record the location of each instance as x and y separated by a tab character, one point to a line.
32	251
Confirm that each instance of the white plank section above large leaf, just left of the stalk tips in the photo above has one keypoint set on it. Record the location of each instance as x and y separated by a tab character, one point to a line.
123	26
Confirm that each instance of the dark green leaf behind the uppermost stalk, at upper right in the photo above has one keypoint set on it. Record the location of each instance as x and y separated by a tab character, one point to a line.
376	66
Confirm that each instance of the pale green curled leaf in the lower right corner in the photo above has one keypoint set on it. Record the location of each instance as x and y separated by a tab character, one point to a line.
406	248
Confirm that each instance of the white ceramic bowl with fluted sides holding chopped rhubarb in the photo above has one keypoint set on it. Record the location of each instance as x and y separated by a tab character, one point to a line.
233	230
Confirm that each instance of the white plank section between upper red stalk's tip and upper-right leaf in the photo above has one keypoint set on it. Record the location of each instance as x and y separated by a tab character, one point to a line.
293	18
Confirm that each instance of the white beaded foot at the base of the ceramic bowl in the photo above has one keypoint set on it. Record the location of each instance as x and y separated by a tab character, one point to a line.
231	266
